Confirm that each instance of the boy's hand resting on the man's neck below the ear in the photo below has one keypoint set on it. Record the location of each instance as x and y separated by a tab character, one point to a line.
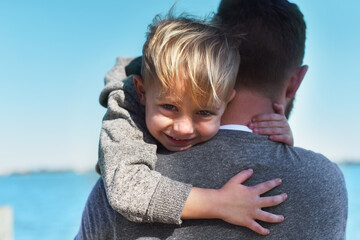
273	124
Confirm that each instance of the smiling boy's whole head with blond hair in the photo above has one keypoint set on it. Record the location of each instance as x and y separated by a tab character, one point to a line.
189	71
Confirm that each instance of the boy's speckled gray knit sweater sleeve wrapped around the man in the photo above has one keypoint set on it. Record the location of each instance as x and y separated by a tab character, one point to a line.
127	157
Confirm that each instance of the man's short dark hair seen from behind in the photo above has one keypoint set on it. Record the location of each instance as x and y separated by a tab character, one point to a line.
273	44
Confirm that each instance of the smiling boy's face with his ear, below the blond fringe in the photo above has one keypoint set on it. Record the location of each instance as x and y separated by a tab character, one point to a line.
176	121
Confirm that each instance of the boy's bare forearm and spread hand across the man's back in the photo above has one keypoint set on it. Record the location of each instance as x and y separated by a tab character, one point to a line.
236	203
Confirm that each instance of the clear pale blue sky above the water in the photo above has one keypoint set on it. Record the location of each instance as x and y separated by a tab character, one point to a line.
54	55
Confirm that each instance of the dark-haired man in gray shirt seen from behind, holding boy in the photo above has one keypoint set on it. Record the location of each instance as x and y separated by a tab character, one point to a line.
270	71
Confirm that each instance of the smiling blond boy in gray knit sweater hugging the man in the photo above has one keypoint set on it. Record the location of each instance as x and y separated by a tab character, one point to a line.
189	70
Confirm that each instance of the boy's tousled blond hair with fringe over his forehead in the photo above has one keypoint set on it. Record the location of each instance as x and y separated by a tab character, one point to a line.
201	55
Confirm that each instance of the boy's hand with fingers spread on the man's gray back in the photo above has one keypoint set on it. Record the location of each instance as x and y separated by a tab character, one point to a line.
242	205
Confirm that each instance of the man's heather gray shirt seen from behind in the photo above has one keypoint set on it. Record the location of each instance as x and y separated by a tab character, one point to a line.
316	207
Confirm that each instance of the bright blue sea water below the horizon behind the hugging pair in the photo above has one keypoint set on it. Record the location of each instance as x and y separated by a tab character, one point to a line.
49	205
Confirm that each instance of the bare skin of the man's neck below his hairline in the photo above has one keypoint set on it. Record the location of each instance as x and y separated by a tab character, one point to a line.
245	106
